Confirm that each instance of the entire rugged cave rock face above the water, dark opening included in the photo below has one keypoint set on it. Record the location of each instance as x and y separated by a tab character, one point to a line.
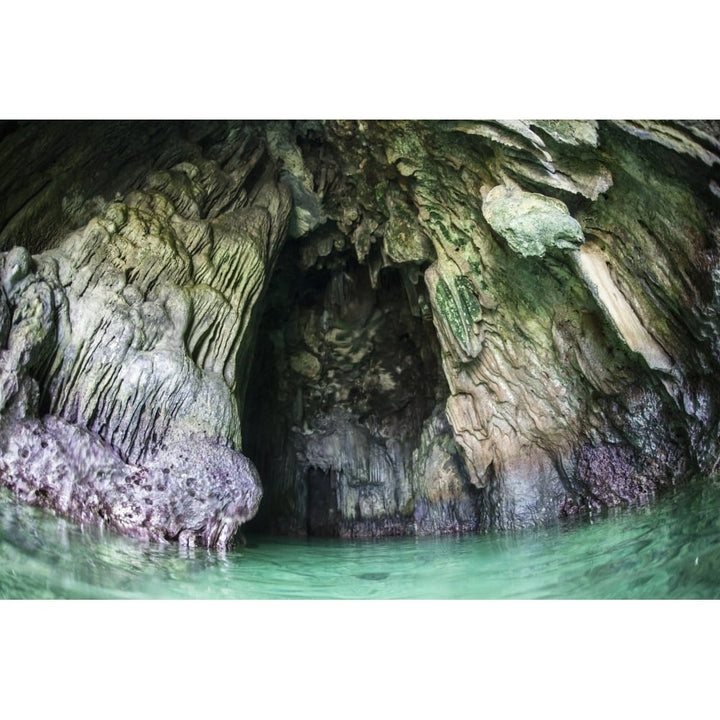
407	327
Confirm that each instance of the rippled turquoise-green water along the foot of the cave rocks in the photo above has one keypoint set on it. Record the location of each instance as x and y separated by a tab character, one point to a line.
668	550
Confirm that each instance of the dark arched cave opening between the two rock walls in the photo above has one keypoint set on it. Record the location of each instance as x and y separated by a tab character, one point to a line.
345	375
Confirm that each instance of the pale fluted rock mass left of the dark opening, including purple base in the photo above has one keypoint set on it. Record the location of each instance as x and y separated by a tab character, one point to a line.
136	328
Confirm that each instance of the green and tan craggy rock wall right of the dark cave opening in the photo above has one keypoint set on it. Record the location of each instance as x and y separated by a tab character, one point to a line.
569	270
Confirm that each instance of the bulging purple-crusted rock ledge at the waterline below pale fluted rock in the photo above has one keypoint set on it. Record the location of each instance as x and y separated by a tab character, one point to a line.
196	492
